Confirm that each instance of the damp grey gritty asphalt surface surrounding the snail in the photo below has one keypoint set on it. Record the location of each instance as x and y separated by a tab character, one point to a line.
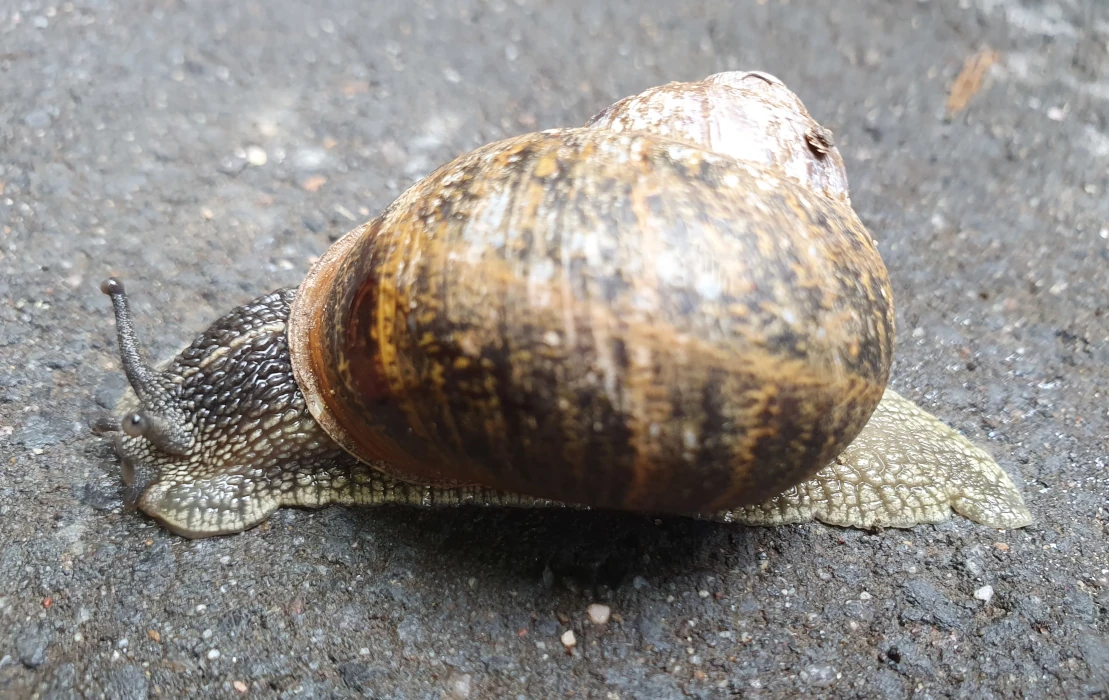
208	150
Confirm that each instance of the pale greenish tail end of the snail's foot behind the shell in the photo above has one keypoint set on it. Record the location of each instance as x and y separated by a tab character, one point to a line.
905	469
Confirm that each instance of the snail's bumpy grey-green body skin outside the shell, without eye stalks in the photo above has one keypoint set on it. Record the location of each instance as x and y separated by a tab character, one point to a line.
258	449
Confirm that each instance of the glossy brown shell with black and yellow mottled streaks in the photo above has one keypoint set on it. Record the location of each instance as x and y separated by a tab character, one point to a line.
613	316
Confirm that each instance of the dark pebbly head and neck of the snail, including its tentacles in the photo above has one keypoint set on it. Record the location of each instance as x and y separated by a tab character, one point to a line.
210	440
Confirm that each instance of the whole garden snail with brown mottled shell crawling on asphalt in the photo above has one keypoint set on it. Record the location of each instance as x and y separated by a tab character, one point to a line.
670	310
